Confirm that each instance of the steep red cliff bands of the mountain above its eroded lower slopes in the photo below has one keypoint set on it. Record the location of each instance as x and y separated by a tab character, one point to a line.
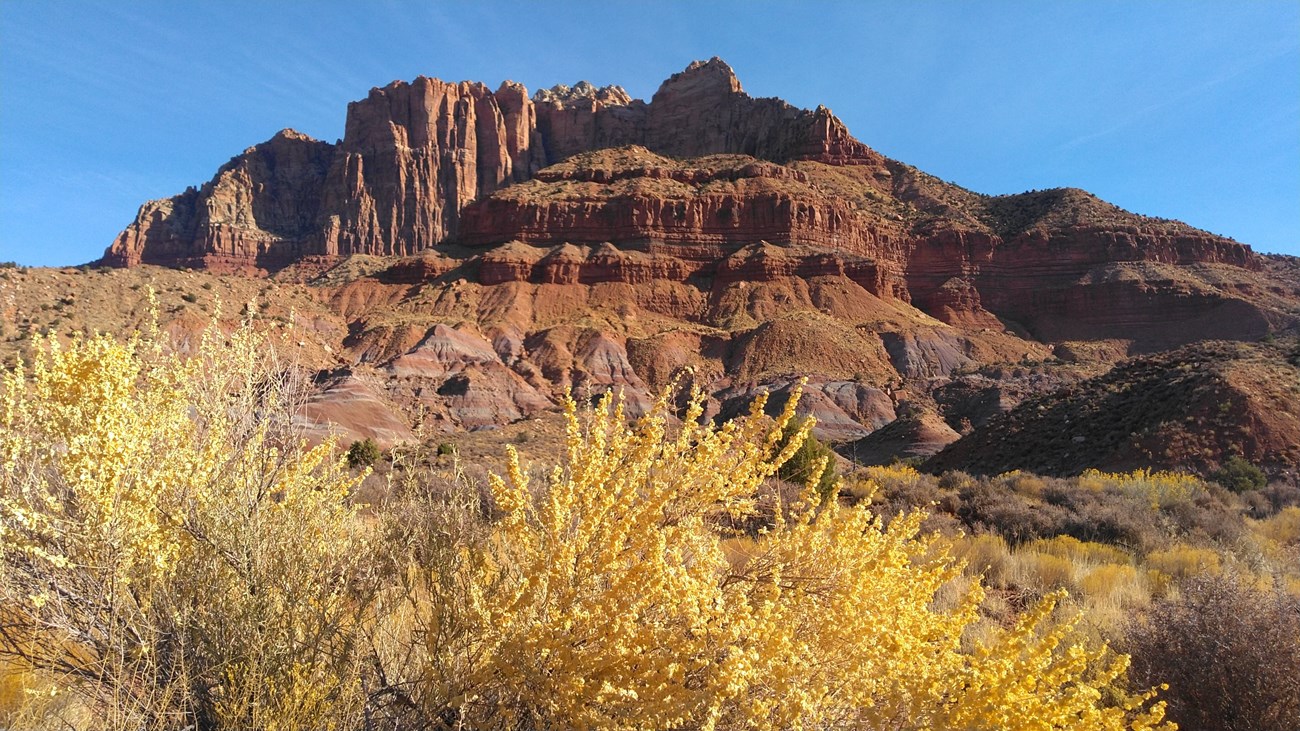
430	163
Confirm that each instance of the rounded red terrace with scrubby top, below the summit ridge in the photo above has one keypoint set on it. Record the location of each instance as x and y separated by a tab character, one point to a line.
634	196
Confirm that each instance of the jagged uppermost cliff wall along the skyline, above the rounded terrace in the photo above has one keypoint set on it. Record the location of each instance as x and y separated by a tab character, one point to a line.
415	155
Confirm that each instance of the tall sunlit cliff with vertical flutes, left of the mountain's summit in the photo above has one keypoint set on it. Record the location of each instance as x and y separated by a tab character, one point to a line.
414	155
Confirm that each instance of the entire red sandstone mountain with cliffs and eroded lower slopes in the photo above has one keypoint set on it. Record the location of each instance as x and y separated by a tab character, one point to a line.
486	249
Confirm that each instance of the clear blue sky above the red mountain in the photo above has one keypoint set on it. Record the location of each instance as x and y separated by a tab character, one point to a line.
1184	110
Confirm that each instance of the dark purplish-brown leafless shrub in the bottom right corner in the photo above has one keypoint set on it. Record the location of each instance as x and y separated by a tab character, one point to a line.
1229	651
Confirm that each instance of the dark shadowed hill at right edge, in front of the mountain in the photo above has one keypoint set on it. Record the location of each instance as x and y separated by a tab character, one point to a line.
1191	408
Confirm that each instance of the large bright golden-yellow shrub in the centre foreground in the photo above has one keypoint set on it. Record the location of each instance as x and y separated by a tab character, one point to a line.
604	596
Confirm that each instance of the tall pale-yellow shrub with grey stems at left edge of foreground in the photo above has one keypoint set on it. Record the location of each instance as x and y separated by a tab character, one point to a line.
171	556
